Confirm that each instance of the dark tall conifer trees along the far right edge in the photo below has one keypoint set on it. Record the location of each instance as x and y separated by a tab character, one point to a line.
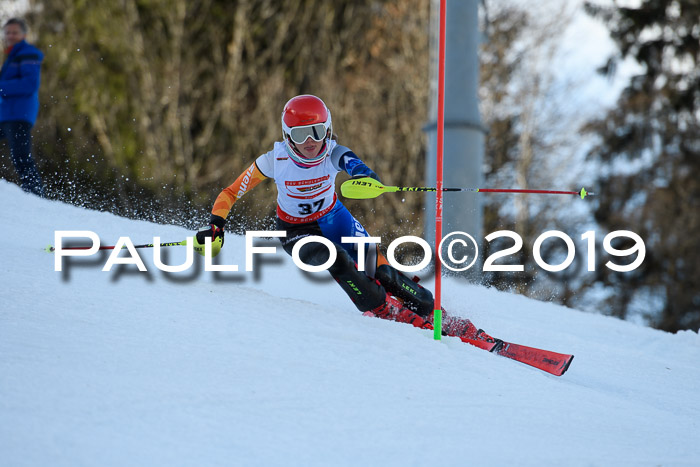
649	152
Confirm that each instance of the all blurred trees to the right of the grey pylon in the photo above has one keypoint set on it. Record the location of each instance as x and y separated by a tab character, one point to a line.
646	161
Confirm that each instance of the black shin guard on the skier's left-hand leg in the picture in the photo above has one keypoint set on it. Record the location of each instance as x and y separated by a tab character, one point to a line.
365	293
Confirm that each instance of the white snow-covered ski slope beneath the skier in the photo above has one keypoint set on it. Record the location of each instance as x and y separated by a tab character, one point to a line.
278	368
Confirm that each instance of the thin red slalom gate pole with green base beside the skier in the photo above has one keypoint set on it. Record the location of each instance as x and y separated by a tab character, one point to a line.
437	313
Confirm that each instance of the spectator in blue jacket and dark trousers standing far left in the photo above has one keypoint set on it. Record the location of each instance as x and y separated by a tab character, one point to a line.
19	101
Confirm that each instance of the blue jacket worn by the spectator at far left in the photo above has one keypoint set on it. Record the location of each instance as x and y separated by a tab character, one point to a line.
19	84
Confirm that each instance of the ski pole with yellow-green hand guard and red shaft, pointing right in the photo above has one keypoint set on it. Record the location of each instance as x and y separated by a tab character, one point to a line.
365	188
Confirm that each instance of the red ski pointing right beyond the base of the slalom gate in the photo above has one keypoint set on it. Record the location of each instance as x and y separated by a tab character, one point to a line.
545	360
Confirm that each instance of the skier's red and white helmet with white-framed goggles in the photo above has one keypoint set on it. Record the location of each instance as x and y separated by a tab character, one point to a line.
303	117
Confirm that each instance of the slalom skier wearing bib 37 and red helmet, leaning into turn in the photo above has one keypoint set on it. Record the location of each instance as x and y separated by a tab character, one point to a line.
304	166
